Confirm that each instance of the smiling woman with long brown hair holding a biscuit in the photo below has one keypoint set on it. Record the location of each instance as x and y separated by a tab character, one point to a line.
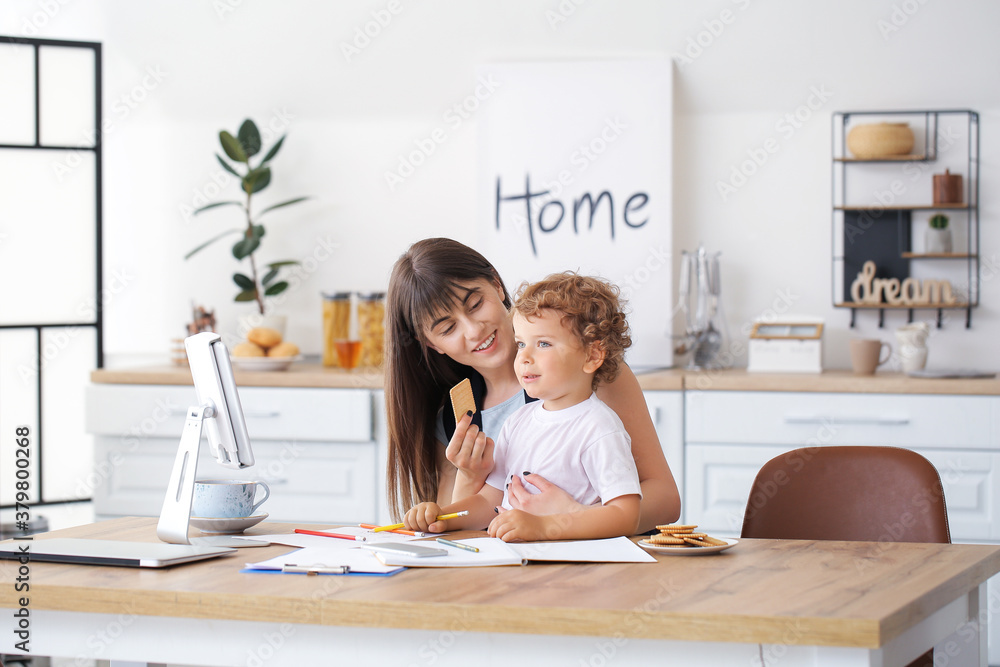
446	319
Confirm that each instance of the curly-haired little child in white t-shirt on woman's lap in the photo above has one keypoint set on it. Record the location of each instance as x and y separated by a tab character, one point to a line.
571	335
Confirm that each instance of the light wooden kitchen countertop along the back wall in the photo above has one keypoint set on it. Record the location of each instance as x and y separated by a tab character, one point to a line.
837	381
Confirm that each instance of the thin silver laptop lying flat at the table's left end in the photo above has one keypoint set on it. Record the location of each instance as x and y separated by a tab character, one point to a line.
108	552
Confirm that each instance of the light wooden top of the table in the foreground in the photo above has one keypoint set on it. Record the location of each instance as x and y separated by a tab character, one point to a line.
789	591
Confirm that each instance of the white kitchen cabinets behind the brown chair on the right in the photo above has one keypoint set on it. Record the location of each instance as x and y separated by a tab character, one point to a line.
729	435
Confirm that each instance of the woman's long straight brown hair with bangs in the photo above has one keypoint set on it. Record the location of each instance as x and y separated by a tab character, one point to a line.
422	286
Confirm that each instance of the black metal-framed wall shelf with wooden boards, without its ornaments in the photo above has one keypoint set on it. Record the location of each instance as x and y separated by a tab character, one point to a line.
881	208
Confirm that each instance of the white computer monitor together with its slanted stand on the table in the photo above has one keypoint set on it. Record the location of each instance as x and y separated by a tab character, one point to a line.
220	413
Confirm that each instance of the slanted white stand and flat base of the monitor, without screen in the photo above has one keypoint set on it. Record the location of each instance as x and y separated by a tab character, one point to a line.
175	516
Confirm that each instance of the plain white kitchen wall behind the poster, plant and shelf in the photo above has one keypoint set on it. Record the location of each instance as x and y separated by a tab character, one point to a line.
176	72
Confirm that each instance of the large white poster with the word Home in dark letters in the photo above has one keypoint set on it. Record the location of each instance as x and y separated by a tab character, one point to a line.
575	174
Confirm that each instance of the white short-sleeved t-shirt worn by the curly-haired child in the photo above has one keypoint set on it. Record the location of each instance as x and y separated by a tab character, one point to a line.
583	449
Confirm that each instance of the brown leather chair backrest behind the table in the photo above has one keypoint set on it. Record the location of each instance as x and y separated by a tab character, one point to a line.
848	493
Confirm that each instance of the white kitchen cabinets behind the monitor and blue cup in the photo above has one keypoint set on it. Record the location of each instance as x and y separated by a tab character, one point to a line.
314	447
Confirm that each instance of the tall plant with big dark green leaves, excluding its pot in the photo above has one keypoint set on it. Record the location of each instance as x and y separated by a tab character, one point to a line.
264	281
